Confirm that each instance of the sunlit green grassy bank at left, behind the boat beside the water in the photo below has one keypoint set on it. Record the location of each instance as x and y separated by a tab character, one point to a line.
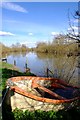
9	70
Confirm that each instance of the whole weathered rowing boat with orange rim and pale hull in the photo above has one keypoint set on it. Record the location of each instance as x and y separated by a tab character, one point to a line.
34	93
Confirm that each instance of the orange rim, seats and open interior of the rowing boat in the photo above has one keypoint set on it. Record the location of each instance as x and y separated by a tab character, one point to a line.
49	90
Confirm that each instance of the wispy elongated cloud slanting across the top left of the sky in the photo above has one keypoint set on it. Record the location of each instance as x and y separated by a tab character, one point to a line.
13	6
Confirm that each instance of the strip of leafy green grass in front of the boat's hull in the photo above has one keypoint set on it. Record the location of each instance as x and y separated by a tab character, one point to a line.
18	114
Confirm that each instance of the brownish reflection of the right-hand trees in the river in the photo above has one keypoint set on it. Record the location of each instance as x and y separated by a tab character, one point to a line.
62	66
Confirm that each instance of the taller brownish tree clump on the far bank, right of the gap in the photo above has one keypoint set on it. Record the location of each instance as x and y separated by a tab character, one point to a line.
61	44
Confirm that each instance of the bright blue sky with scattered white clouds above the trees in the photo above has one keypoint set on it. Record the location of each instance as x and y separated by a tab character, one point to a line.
32	22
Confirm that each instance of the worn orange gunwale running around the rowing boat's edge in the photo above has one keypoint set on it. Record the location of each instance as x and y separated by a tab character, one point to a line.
35	97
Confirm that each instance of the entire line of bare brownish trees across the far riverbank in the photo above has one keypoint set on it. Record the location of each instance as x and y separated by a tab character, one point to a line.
61	44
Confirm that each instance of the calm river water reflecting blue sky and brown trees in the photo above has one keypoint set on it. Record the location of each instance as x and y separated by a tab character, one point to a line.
61	66
